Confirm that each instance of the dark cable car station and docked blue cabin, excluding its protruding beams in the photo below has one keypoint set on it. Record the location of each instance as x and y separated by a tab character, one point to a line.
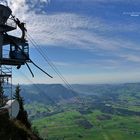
18	51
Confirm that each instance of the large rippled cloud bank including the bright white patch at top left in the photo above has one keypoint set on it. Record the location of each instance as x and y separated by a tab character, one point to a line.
69	29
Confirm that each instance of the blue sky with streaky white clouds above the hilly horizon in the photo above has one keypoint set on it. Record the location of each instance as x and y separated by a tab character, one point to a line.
89	41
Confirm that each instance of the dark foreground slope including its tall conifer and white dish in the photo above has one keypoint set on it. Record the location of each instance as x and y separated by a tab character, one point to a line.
14	122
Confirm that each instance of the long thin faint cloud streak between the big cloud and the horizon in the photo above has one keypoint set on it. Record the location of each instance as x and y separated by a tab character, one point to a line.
90	66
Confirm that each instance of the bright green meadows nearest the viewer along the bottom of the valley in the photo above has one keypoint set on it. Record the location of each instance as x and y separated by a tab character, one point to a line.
63	125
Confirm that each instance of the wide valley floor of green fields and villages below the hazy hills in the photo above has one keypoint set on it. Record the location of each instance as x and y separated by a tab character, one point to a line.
104	117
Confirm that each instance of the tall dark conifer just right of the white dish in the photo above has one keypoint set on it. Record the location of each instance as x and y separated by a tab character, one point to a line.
22	116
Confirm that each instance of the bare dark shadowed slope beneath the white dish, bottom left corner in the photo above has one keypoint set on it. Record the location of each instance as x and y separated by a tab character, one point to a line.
14	129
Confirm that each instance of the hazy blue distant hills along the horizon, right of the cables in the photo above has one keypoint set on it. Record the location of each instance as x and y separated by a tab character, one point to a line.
98	89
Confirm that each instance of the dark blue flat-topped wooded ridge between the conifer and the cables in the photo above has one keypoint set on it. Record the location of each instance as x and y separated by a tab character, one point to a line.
47	93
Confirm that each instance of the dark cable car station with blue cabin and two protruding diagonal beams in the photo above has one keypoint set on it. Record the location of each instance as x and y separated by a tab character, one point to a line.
14	51
